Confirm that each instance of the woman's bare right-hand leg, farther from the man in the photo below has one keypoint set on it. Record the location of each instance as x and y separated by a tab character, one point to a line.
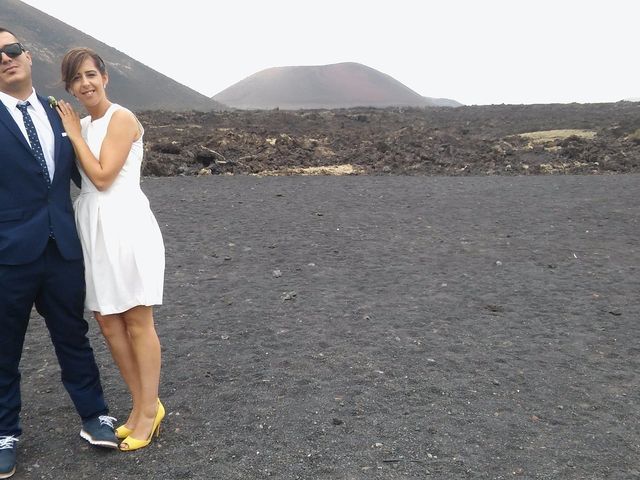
145	347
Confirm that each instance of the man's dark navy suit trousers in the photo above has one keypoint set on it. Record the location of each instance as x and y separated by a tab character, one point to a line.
56	287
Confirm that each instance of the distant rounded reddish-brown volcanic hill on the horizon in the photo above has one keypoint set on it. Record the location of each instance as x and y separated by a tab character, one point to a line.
339	85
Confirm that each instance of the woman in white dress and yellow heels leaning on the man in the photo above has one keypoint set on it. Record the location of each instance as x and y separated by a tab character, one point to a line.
121	241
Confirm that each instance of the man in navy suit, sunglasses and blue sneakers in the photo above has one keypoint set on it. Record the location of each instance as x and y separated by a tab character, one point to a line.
40	254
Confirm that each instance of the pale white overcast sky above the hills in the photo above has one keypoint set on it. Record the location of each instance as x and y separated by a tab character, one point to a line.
473	51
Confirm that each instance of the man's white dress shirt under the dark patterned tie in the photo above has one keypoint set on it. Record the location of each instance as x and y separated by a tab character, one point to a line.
41	122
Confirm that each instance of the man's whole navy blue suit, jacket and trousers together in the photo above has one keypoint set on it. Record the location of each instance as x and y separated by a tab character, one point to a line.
36	269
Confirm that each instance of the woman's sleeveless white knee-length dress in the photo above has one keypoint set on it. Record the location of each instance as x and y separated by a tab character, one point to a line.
121	241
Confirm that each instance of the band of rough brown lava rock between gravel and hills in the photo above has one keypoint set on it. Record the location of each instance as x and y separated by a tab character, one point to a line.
470	140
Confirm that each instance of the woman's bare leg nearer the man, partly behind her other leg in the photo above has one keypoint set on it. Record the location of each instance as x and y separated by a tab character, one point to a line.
115	332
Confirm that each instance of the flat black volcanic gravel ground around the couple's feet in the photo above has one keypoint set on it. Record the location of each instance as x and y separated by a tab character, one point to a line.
377	327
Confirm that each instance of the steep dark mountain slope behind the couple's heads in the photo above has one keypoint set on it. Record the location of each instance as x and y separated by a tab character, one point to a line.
133	84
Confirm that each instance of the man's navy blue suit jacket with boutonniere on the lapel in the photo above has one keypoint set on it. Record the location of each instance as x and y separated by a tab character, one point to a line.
27	207
